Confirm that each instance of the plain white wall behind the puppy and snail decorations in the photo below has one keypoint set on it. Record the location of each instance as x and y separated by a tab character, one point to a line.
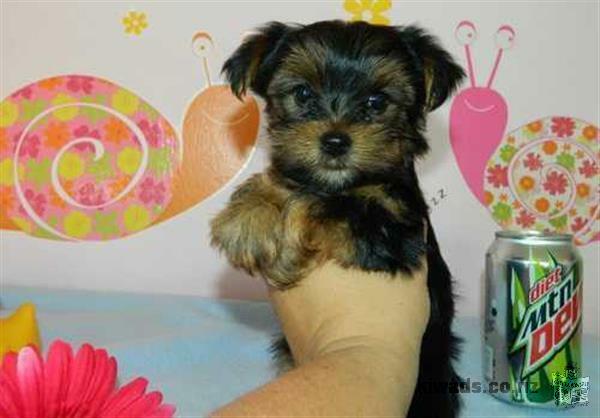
552	70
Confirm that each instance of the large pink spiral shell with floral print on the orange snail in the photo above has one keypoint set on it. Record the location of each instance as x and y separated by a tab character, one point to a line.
83	159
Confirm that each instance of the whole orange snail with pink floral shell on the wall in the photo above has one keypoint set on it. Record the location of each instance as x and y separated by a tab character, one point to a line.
84	159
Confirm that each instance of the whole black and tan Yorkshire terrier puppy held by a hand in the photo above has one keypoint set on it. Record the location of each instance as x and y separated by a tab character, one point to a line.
346	106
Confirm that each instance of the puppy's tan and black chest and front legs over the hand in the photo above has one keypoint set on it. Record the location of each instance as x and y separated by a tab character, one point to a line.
281	231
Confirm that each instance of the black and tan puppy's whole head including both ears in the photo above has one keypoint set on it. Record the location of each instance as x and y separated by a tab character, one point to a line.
346	102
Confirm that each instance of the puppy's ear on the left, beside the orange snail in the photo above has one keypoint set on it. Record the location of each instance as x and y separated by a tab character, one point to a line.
253	62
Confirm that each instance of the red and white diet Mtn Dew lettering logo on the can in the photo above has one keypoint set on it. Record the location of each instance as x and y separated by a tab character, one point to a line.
551	316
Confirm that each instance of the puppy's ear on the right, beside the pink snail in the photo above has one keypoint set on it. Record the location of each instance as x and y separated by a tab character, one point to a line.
441	74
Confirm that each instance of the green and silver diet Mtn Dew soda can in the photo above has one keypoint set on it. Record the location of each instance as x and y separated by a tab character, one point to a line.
532	319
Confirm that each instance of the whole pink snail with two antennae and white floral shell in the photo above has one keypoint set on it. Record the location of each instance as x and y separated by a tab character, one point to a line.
543	175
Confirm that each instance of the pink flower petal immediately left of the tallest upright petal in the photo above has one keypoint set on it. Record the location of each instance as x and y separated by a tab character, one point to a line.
30	374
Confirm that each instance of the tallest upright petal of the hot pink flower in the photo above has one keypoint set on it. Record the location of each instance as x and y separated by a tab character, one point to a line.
56	375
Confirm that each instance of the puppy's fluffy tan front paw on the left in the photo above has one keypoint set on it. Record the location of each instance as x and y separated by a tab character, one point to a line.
250	229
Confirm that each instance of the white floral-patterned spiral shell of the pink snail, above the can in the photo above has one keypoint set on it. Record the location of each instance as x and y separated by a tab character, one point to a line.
545	176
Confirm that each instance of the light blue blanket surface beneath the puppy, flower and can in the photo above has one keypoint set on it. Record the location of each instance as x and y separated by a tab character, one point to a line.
202	353
